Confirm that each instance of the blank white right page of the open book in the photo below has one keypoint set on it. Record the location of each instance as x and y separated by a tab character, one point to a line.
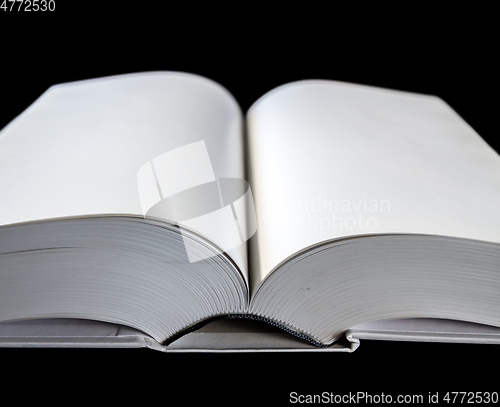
330	160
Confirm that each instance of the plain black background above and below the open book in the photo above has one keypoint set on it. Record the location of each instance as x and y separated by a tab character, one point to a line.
449	55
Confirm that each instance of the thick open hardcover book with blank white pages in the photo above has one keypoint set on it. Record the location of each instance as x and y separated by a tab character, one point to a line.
151	203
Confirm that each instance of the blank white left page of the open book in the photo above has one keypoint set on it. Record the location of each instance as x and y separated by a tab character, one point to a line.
120	145
